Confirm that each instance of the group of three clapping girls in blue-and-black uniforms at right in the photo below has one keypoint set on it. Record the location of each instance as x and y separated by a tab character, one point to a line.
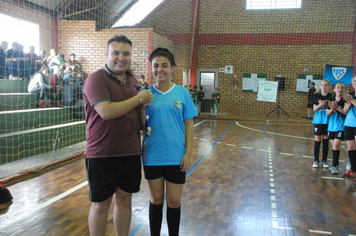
335	120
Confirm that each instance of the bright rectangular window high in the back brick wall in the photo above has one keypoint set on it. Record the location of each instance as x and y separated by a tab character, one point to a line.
273	4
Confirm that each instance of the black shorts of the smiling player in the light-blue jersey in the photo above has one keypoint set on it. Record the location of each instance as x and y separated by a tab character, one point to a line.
170	173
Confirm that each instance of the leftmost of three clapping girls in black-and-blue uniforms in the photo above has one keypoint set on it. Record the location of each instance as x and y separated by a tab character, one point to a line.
320	121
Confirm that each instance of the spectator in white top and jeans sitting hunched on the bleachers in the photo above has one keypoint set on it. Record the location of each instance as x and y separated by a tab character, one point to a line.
40	84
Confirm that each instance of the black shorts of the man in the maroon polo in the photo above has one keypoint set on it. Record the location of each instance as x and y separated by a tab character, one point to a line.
107	174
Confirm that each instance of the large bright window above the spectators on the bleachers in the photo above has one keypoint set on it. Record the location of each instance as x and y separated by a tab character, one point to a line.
23	32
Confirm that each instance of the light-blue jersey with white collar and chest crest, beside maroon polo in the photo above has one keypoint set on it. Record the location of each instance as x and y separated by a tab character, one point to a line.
168	111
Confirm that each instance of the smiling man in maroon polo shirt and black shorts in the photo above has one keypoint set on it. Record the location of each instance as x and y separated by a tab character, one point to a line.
112	108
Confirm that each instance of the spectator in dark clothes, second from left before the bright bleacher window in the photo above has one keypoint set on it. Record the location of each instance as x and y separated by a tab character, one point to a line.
12	61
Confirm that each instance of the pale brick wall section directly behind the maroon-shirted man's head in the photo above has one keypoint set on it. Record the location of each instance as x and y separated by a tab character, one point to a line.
90	46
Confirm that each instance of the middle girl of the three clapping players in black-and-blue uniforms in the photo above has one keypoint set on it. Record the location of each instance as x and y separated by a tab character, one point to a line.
336	125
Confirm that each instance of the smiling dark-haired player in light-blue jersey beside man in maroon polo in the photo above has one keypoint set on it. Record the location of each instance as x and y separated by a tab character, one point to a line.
167	151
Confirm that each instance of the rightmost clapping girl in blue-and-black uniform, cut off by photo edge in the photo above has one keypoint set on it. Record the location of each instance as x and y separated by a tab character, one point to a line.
350	129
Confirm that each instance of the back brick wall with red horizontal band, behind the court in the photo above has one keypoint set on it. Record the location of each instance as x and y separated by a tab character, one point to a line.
278	42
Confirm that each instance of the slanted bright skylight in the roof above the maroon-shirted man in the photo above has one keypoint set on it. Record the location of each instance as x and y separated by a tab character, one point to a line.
137	13
